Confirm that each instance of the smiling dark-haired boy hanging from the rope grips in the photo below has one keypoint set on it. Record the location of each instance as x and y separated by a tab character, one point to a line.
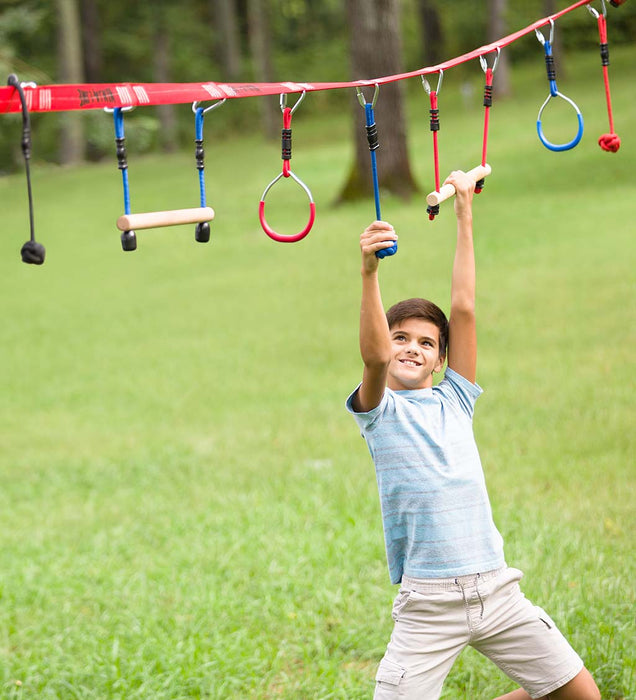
441	542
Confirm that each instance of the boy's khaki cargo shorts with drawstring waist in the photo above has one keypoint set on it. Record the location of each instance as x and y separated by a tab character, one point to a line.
436	618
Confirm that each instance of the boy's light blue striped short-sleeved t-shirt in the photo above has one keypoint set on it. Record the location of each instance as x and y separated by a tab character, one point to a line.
435	508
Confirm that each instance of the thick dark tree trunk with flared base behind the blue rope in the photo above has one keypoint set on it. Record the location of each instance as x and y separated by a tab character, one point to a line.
375	44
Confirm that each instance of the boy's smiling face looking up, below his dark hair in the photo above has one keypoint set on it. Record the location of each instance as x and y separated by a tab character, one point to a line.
414	355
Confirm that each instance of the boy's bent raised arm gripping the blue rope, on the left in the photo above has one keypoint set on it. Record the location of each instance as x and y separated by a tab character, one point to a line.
375	341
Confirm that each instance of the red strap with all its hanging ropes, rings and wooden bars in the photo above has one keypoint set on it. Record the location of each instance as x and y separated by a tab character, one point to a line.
119	98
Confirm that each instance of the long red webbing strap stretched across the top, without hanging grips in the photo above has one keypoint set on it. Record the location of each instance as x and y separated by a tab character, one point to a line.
55	98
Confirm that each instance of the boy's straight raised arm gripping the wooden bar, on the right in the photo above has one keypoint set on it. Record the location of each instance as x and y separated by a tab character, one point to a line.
462	334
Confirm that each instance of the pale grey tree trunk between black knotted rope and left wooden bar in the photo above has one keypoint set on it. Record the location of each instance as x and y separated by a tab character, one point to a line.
69	41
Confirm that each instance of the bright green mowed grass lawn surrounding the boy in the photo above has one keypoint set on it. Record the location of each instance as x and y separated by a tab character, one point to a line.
186	509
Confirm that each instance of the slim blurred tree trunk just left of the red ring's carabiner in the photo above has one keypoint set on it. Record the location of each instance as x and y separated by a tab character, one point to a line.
260	48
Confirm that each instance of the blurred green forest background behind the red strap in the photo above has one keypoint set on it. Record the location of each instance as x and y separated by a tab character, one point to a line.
75	41
